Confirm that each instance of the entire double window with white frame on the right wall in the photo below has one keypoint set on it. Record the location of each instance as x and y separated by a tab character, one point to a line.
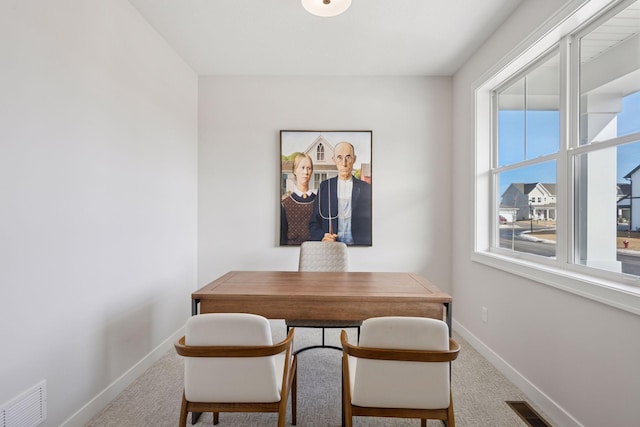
558	151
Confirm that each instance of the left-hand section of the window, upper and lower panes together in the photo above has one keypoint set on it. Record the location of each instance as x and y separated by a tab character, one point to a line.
528	139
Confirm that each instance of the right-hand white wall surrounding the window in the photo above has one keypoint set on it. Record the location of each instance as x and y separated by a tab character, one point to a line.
576	357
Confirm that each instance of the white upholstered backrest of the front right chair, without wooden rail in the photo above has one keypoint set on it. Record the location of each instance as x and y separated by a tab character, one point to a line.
401	384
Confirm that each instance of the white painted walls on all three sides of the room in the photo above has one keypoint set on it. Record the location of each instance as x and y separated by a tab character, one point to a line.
98	205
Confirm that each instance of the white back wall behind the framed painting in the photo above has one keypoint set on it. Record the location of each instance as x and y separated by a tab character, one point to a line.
239	165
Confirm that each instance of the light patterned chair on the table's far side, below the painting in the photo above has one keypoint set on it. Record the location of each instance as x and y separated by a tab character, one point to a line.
329	257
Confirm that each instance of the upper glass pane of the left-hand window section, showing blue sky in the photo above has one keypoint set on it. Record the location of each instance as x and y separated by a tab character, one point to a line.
528	115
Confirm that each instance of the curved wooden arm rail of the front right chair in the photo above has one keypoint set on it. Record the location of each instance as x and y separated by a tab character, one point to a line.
401	355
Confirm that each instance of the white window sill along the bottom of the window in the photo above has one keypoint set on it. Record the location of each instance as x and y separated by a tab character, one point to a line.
619	295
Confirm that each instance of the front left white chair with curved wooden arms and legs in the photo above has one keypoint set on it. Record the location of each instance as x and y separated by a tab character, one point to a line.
232	365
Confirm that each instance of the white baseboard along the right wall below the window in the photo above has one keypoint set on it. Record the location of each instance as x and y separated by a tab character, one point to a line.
556	414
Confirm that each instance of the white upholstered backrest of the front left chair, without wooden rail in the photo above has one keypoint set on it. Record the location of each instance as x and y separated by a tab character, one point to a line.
230	379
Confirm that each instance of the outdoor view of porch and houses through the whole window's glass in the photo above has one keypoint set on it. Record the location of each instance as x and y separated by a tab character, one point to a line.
591	175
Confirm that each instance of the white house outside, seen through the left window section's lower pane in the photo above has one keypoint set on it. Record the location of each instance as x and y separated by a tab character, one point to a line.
529	201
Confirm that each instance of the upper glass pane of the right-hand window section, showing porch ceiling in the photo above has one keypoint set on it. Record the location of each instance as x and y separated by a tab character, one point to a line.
610	78
